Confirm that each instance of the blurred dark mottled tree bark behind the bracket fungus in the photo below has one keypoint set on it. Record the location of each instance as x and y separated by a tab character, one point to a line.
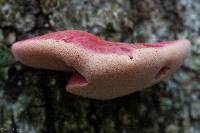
35	100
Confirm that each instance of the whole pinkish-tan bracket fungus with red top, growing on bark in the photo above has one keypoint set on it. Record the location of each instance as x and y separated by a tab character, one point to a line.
102	69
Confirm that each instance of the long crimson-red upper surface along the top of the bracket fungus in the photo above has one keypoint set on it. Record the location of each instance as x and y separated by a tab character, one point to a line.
91	42
